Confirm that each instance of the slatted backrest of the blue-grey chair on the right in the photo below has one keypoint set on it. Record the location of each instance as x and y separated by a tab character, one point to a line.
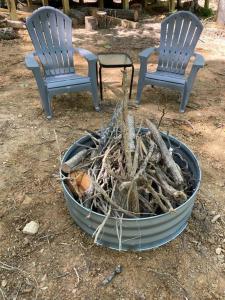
180	33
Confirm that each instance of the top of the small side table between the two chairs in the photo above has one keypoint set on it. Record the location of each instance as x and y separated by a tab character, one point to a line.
114	59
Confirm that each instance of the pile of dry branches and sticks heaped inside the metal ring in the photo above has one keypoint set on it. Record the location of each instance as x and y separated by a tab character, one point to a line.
127	171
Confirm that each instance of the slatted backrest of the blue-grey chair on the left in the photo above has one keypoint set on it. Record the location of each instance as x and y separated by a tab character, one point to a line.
51	33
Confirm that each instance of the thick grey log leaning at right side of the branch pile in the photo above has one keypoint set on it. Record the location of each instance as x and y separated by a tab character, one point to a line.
166	156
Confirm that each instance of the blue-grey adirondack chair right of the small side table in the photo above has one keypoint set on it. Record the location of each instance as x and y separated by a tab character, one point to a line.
180	33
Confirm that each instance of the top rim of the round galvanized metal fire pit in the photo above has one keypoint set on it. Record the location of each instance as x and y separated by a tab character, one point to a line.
65	188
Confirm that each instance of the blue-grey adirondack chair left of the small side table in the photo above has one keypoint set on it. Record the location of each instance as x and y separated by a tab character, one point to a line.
52	62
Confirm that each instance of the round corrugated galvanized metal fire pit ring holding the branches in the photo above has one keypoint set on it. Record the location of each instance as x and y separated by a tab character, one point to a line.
138	234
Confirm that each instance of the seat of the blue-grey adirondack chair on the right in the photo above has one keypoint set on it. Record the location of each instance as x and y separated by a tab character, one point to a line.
166	77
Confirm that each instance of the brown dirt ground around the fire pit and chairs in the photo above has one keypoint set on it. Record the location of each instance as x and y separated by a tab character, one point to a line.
60	261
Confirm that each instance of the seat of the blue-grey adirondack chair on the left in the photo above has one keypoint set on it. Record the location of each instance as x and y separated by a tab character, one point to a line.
64	80
